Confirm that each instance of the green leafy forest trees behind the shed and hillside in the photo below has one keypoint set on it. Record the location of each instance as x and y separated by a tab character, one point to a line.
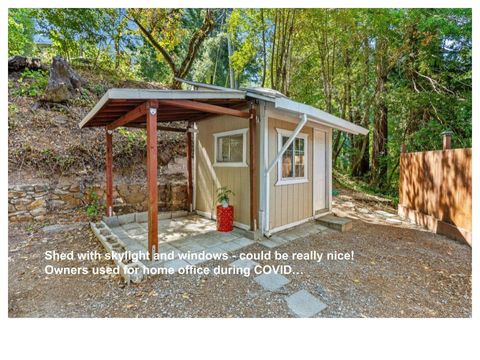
408	69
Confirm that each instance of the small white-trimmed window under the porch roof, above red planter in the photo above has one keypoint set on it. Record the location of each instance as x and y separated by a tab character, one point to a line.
231	148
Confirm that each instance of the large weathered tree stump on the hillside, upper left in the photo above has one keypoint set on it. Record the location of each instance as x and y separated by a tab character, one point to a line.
63	82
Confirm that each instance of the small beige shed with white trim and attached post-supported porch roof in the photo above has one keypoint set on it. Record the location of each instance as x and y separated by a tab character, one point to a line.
275	154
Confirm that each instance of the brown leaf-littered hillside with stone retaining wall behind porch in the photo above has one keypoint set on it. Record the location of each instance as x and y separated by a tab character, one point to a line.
45	143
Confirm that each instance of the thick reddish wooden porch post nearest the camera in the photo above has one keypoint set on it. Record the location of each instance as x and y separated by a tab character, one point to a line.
152	178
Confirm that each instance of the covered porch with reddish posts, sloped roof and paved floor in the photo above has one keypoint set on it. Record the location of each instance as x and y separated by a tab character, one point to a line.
176	111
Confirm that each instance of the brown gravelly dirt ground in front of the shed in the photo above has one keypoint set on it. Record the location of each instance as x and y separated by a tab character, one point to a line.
397	271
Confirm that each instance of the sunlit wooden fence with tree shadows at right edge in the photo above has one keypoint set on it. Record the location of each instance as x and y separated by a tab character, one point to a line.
436	191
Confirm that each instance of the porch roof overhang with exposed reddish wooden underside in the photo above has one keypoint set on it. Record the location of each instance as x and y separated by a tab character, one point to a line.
115	103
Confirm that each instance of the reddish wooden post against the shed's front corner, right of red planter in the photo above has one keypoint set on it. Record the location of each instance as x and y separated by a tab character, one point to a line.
253	168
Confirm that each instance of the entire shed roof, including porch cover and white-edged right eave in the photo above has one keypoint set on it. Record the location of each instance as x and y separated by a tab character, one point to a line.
118	102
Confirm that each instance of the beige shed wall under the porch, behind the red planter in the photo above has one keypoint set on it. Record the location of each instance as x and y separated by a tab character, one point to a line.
210	177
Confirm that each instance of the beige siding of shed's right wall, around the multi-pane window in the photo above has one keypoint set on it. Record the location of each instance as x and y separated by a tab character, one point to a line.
293	202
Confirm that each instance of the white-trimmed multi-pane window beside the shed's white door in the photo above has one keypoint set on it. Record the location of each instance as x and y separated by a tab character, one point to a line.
292	166
